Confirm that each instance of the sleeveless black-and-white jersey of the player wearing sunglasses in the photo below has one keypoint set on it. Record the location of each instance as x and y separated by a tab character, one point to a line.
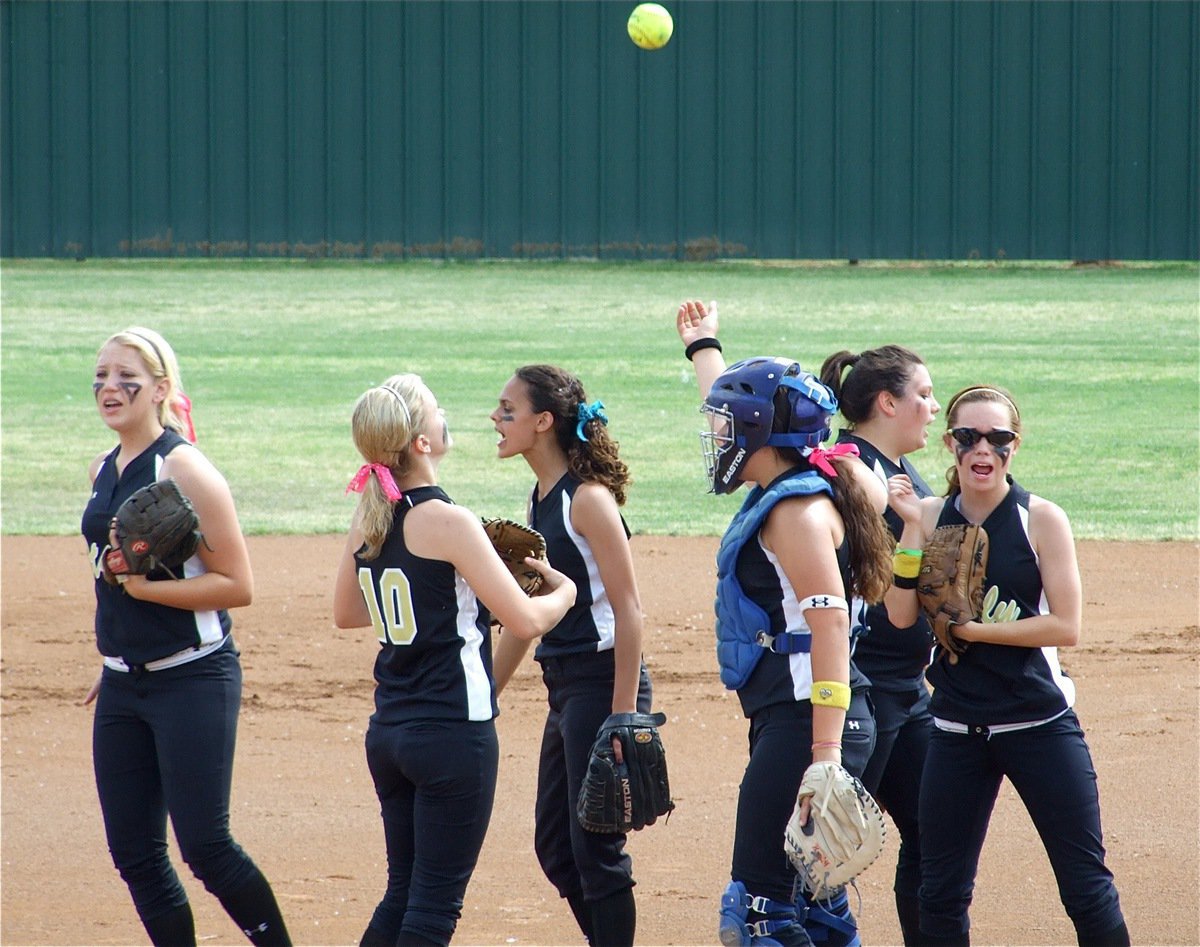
998	685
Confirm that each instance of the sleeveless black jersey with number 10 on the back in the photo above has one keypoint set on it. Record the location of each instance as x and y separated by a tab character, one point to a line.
435	660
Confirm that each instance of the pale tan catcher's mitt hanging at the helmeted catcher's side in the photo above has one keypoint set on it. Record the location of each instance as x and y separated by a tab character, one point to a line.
843	836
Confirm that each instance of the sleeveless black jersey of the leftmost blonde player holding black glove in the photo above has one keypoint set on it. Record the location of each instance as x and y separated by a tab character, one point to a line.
129	630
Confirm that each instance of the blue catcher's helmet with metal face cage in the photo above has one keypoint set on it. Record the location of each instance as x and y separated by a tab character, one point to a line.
761	403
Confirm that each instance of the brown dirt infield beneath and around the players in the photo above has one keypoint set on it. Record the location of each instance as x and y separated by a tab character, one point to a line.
305	810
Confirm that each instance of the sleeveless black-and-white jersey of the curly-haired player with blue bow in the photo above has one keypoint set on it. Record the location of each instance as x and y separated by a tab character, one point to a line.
589	626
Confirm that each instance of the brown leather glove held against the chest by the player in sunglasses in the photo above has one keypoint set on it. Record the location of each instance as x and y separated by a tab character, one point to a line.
950	586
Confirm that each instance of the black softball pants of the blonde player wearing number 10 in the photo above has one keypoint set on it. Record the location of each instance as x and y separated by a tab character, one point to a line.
436	781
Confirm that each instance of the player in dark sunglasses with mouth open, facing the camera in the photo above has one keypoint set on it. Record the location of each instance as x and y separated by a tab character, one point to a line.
1005	708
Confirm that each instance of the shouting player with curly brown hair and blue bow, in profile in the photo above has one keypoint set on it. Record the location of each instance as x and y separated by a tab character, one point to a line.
592	661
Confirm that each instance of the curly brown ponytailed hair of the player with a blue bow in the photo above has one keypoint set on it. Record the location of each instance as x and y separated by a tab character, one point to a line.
596	460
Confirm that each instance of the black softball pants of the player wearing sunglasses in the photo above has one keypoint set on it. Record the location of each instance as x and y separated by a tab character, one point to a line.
1051	768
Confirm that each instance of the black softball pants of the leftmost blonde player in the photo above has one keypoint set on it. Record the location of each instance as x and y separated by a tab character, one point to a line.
164	745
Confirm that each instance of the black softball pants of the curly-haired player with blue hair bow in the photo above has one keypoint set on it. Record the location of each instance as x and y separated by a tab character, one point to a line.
577	862
